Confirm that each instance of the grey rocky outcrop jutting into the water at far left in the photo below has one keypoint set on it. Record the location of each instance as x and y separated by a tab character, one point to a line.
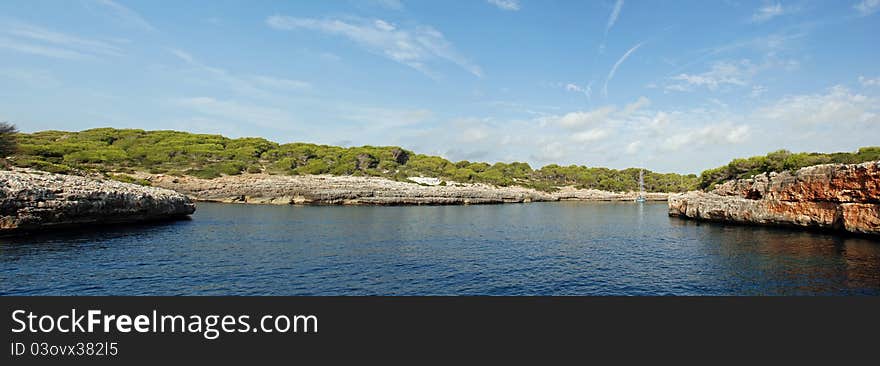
32	200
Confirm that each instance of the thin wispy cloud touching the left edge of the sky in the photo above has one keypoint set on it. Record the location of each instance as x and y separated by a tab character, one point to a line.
40	41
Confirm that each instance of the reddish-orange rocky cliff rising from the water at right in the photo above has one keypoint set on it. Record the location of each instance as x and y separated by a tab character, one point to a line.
833	196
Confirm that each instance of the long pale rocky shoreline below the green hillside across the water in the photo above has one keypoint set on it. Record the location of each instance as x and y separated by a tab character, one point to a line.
352	190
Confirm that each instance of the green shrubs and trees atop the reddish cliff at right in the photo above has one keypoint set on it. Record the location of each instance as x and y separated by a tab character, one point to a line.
781	160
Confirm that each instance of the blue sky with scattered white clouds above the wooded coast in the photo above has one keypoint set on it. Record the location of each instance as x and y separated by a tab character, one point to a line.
671	86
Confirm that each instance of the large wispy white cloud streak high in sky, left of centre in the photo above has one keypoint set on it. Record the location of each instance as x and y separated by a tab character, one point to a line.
415	47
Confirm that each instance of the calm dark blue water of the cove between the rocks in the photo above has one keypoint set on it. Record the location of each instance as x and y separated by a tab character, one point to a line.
516	249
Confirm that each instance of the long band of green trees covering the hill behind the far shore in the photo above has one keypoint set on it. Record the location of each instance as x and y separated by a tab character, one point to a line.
114	151
